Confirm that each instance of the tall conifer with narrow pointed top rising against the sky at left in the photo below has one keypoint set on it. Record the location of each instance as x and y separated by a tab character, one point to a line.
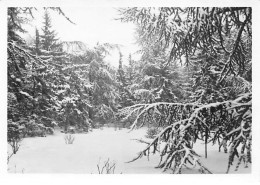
65	81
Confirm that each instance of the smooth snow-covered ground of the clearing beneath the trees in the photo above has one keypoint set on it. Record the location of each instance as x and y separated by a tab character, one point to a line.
51	155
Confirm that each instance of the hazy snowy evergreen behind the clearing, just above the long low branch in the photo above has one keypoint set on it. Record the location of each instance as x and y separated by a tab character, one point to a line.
157	81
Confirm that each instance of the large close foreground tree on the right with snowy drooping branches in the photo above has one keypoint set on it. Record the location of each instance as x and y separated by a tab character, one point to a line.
216	46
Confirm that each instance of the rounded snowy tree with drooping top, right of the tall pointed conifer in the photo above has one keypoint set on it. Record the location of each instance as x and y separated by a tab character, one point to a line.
100	87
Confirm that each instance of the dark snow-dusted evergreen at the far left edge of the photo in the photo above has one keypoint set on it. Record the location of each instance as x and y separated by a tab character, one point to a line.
32	71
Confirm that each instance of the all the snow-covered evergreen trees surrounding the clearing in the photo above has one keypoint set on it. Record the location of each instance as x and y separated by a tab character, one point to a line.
193	82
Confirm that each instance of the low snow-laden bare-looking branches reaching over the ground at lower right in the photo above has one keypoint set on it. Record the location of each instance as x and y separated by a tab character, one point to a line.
185	123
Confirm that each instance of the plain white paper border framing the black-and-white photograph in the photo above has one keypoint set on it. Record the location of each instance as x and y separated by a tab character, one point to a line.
46	179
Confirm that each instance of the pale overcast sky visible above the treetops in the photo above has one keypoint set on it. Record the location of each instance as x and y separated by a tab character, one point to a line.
93	24
